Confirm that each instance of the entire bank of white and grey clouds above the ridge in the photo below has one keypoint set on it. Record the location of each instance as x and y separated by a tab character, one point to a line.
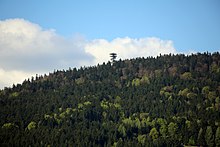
27	49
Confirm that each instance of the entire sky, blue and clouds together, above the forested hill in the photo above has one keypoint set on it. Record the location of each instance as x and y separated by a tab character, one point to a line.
39	36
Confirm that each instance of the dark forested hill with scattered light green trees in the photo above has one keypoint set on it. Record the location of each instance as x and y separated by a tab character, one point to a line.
170	100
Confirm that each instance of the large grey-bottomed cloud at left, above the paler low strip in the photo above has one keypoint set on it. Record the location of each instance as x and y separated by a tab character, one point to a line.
25	45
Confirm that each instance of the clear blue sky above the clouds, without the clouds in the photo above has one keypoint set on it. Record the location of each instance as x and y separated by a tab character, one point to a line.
191	24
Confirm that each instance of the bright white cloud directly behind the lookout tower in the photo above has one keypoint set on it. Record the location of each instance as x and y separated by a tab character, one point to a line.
129	48
